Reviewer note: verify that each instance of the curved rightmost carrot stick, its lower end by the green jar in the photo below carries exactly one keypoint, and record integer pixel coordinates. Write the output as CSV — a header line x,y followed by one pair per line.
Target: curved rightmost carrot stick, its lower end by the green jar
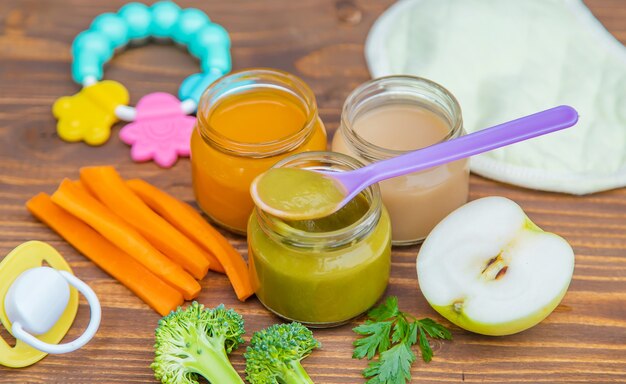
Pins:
x,y
189,222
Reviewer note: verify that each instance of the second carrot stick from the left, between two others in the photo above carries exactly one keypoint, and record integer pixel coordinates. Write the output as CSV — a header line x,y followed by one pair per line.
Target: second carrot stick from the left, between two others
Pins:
x,y
92,212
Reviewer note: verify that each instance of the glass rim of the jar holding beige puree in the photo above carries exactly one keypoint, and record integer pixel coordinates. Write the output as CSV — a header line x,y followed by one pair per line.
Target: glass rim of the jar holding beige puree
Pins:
x,y
413,85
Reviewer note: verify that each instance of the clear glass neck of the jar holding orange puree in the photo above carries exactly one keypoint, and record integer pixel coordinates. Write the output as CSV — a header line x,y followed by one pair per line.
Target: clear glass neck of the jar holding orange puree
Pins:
x,y
251,80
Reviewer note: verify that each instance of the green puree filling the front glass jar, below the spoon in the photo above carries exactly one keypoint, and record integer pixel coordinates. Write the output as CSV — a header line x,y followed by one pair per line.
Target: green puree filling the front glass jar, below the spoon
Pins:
x,y
317,284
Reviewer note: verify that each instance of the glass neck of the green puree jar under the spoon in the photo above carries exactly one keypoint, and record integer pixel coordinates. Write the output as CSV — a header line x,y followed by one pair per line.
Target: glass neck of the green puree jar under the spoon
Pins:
x,y
282,232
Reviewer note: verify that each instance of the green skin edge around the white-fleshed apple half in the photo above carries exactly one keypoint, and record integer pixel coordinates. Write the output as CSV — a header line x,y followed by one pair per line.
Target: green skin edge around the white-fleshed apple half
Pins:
x,y
456,315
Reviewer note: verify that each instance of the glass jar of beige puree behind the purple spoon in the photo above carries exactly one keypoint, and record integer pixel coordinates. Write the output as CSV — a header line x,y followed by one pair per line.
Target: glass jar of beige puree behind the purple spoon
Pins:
x,y
389,116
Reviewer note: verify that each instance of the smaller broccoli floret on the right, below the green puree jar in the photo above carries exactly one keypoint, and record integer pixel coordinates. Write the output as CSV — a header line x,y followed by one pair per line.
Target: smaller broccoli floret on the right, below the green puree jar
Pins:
x,y
275,353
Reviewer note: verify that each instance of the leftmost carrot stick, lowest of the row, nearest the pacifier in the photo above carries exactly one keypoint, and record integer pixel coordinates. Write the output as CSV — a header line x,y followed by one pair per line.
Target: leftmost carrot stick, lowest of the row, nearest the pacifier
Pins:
x,y
143,283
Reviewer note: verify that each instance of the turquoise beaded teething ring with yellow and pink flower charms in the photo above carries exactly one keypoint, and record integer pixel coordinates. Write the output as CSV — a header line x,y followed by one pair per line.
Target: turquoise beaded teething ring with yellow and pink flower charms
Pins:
x,y
160,130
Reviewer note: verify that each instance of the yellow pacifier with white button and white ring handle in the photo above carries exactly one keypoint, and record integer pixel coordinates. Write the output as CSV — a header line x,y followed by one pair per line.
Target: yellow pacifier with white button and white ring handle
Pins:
x,y
39,300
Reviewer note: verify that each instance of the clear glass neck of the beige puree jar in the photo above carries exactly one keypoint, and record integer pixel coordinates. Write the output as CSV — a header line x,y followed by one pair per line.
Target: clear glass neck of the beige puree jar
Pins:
x,y
390,90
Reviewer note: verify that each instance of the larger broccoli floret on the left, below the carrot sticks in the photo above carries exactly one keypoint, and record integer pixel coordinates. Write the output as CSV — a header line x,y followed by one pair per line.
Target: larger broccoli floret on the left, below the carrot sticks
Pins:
x,y
197,341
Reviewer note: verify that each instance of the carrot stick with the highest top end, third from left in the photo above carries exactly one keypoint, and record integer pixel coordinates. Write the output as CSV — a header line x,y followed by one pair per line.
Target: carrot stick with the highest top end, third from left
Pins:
x,y
108,187
